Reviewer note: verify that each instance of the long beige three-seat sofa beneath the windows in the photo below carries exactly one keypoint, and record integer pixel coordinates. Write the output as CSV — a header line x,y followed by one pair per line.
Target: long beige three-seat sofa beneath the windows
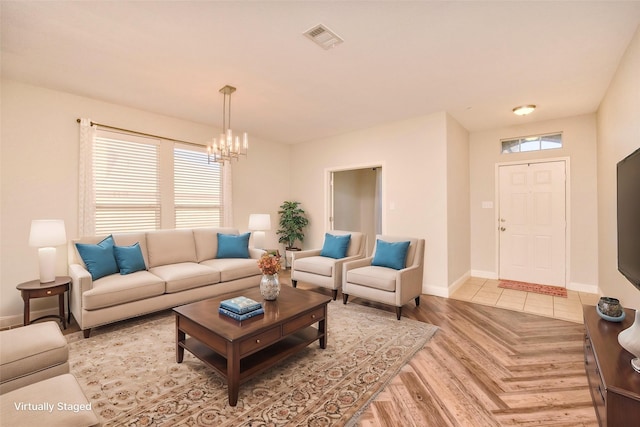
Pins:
x,y
181,267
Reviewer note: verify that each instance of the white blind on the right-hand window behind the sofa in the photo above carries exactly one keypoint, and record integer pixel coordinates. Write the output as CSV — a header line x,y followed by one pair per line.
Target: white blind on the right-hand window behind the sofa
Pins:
x,y
197,189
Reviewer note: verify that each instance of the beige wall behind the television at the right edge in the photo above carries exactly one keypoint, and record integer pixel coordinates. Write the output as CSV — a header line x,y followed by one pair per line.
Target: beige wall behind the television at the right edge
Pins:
x,y
618,136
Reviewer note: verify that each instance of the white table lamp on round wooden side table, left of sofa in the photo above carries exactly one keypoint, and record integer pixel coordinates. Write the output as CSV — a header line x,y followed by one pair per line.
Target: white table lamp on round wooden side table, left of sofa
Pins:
x,y
44,235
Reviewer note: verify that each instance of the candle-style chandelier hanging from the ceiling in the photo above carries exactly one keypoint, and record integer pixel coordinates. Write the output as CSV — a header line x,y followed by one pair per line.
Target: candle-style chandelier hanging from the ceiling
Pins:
x,y
226,147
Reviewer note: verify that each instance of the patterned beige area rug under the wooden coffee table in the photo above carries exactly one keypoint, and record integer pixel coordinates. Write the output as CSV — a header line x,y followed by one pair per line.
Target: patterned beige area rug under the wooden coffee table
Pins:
x,y
129,373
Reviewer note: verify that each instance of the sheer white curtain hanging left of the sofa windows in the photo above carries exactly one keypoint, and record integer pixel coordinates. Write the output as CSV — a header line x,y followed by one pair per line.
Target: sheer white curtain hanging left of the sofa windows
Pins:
x,y
86,205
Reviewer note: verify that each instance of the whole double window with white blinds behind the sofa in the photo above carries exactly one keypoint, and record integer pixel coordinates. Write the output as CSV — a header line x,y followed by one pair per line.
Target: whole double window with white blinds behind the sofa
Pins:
x,y
139,180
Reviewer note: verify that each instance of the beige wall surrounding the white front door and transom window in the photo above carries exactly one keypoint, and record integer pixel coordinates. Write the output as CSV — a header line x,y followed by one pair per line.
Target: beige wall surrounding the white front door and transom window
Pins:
x,y
579,140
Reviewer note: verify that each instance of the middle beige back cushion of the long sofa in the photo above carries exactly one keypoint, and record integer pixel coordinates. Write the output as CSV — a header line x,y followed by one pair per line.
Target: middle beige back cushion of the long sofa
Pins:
x,y
170,247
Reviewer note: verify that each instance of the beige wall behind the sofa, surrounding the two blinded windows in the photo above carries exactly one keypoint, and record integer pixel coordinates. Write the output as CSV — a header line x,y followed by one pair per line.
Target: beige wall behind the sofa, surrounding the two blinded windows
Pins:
x,y
39,173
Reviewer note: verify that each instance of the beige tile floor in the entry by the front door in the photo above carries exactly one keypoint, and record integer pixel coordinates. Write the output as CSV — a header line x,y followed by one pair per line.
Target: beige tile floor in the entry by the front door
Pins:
x,y
487,292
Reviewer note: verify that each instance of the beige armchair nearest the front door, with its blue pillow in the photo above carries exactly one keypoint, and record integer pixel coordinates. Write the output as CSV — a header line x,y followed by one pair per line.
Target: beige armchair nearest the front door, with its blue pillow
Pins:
x,y
391,281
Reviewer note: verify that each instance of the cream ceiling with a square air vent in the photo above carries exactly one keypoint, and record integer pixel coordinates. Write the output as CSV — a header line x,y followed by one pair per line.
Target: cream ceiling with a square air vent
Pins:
x,y
476,60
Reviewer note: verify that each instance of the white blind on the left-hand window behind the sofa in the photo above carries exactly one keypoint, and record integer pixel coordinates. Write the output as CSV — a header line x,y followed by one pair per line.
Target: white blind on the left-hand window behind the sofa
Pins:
x,y
126,183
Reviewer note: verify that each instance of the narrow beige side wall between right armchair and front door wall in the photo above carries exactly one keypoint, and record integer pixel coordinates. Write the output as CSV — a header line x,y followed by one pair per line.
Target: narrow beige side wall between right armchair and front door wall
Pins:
x,y
458,225
